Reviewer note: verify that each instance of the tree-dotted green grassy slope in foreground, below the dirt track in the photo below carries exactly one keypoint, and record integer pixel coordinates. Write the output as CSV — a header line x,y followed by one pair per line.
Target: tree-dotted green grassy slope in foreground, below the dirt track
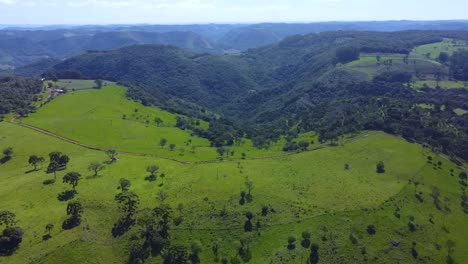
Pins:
x,y
307,191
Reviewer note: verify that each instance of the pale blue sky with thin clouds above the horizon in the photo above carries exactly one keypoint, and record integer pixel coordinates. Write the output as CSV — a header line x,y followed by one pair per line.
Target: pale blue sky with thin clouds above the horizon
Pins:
x,y
218,11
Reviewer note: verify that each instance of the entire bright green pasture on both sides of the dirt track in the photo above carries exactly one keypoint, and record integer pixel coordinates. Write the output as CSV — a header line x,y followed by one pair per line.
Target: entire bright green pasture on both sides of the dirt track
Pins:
x,y
308,191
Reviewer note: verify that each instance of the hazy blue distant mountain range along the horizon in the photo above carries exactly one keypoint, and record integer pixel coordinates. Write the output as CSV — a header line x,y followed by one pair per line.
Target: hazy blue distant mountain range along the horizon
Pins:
x,y
23,45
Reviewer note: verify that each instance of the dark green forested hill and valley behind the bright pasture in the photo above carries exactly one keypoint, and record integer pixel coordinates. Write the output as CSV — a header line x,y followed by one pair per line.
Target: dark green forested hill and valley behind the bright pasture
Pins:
x,y
298,84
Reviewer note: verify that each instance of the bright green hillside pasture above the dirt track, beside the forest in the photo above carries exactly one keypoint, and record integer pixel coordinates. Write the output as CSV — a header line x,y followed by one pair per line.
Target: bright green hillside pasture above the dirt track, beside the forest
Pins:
x,y
99,122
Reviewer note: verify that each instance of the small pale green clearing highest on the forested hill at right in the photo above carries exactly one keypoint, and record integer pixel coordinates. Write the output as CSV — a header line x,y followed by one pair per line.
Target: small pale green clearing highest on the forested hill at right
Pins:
x,y
449,46
